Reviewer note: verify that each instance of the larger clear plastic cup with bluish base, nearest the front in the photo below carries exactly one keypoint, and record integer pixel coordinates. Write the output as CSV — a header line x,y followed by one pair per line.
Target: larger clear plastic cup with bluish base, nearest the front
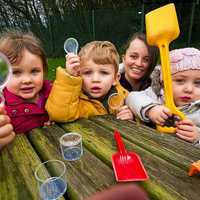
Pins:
x,y
51,187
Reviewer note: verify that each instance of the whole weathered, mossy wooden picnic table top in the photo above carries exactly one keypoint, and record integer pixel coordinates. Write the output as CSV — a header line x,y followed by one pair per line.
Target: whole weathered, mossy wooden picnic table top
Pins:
x,y
165,157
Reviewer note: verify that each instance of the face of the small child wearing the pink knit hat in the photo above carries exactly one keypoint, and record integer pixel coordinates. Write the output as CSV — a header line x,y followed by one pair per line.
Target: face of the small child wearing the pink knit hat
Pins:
x,y
186,87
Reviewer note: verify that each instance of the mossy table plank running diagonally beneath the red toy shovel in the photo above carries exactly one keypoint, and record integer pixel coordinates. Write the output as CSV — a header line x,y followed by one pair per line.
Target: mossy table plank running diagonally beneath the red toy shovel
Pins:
x,y
167,178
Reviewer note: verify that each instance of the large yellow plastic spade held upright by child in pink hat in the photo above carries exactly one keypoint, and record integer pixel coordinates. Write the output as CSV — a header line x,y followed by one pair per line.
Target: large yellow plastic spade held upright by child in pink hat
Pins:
x,y
162,28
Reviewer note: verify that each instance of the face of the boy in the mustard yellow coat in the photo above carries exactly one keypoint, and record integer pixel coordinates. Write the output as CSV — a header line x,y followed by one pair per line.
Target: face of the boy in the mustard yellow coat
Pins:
x,y
97,78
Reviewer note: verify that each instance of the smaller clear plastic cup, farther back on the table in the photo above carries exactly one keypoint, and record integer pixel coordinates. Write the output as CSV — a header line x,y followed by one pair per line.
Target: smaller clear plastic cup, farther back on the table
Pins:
x,y
71,146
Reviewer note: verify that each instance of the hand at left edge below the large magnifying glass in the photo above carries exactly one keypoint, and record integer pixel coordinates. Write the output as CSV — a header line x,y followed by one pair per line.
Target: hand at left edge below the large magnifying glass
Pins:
x,y
6,129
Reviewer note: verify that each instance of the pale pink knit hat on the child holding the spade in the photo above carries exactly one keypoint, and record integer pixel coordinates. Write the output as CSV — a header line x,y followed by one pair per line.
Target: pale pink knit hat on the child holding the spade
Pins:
x,y
184,59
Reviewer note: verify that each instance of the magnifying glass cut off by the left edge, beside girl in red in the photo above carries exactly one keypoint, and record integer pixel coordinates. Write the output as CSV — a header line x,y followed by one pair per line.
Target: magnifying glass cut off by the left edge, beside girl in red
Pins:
x,y
5,73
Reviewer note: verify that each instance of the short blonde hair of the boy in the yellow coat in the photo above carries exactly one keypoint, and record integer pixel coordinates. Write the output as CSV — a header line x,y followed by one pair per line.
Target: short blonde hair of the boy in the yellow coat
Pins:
x,y
100,52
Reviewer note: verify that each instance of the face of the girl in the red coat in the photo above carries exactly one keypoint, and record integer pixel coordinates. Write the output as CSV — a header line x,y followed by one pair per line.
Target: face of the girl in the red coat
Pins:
x,y
27,77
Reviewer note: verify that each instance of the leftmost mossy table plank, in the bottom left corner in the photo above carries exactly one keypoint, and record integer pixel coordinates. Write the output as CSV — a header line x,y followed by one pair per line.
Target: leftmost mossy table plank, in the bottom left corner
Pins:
x,y
17,165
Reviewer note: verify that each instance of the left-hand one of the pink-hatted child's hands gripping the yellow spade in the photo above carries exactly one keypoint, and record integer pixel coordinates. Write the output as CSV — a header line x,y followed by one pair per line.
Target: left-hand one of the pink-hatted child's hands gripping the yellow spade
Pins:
x,y
158,114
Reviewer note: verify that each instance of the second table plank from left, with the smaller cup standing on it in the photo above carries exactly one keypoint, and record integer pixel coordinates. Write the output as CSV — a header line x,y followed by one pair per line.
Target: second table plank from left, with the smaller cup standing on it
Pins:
x,y
85,176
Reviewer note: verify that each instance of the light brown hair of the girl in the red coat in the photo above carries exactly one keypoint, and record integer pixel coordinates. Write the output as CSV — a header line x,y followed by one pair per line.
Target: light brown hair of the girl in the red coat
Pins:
x,y
13,43
